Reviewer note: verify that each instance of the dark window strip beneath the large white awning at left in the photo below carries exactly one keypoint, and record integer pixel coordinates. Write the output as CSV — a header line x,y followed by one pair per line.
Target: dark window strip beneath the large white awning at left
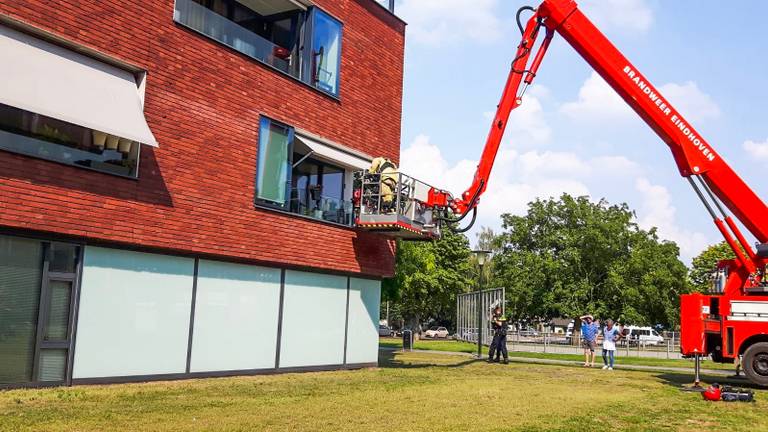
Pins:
x,y
48,138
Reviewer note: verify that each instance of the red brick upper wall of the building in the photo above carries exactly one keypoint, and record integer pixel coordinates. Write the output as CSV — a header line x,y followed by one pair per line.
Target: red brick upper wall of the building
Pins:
x,y
195,192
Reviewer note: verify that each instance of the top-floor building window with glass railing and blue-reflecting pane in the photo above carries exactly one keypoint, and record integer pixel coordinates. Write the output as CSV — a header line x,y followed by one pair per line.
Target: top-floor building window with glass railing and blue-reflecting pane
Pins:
x,y
304,43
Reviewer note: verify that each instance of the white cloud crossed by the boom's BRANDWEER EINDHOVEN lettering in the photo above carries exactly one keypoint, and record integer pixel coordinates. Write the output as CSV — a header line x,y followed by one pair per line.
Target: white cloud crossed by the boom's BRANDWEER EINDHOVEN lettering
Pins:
x,y
598,102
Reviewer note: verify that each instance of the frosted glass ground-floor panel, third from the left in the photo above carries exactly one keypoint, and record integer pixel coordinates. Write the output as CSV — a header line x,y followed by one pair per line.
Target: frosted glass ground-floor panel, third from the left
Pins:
x,y
314,311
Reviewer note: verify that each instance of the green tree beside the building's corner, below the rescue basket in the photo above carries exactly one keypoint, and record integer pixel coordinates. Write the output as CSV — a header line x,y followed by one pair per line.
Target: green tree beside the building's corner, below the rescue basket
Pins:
x,y
428,276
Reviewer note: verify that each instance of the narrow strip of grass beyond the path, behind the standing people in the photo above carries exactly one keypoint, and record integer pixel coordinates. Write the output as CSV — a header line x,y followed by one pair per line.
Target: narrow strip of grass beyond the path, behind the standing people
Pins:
x,y
464,347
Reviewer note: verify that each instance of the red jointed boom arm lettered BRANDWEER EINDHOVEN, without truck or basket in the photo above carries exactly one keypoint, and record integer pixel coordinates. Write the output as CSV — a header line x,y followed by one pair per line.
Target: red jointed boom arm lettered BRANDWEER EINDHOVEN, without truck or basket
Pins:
x,y
694,156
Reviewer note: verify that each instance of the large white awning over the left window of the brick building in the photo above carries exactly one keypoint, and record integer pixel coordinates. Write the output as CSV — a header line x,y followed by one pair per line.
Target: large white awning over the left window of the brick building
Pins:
x,y
46,79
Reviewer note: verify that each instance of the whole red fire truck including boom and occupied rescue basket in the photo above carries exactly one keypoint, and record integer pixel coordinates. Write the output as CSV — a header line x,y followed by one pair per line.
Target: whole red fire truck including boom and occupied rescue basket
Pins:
x,y
728,323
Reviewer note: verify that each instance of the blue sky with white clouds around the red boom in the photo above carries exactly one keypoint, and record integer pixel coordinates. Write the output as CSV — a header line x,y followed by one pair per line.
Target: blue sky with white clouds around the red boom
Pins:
x,y
573,134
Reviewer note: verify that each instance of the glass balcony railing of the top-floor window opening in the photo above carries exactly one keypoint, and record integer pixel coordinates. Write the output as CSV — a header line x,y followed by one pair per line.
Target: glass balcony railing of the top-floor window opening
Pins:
x,y
219,28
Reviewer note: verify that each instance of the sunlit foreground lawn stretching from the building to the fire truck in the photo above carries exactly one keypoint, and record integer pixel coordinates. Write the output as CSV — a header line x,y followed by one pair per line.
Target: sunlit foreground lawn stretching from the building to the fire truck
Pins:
x,y
409,392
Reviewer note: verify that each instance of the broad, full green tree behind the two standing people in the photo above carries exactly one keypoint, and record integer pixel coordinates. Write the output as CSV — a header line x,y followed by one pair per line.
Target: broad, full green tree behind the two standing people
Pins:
x,y
570,256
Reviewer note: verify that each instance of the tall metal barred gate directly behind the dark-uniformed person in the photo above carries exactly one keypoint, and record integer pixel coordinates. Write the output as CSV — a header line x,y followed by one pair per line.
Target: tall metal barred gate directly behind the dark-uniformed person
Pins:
x,y
477,307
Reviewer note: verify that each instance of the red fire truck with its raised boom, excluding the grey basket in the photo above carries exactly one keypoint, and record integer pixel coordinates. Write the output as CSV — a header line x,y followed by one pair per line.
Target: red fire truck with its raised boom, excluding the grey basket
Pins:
x,y
733,320
